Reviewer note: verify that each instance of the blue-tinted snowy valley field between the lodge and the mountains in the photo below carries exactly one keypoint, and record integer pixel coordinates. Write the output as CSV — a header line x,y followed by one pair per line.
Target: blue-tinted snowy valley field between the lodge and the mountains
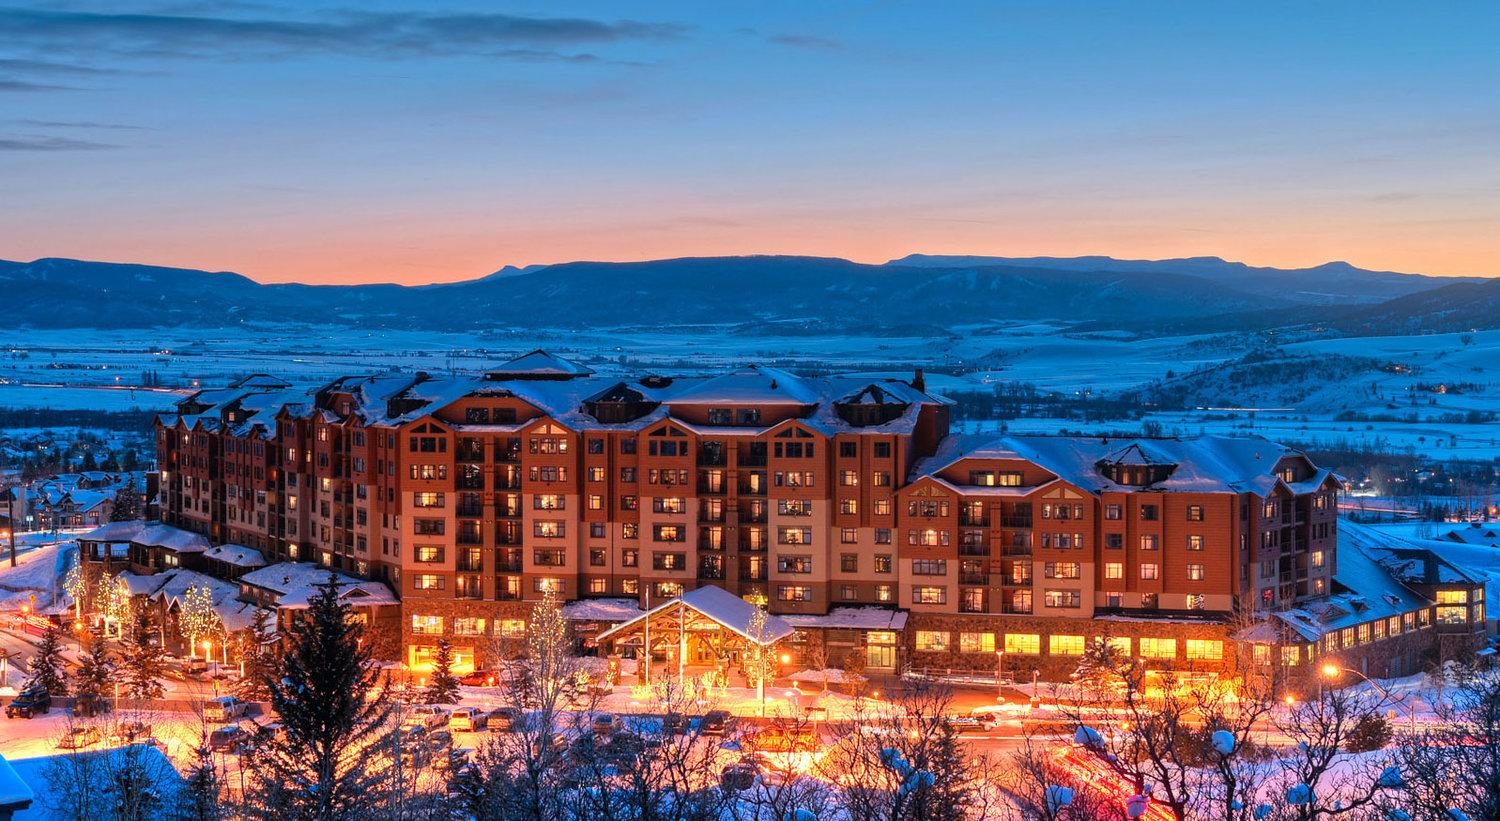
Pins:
x,y
1451,374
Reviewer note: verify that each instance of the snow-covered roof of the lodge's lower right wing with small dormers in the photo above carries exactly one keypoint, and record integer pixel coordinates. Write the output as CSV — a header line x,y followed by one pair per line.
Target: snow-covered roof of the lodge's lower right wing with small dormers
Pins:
x,y
1204,465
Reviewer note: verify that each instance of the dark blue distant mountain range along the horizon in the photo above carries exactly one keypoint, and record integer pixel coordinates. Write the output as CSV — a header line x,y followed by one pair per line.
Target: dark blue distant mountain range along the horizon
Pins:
x,y
914,295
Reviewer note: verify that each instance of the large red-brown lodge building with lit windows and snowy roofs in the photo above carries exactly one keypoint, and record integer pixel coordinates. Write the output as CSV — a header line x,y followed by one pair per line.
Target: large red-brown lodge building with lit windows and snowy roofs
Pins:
x,y
845,505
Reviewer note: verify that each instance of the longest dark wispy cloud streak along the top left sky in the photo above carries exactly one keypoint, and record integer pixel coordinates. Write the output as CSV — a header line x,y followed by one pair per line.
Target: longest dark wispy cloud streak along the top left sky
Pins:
x,y
272,37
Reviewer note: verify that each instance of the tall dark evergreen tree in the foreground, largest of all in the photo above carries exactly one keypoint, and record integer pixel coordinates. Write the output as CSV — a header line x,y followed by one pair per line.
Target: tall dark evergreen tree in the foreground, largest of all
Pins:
x,y
332,705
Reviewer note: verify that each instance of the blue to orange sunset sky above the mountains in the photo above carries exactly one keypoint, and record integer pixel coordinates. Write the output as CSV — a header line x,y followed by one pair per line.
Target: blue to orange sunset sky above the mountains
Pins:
x,y
434,142
